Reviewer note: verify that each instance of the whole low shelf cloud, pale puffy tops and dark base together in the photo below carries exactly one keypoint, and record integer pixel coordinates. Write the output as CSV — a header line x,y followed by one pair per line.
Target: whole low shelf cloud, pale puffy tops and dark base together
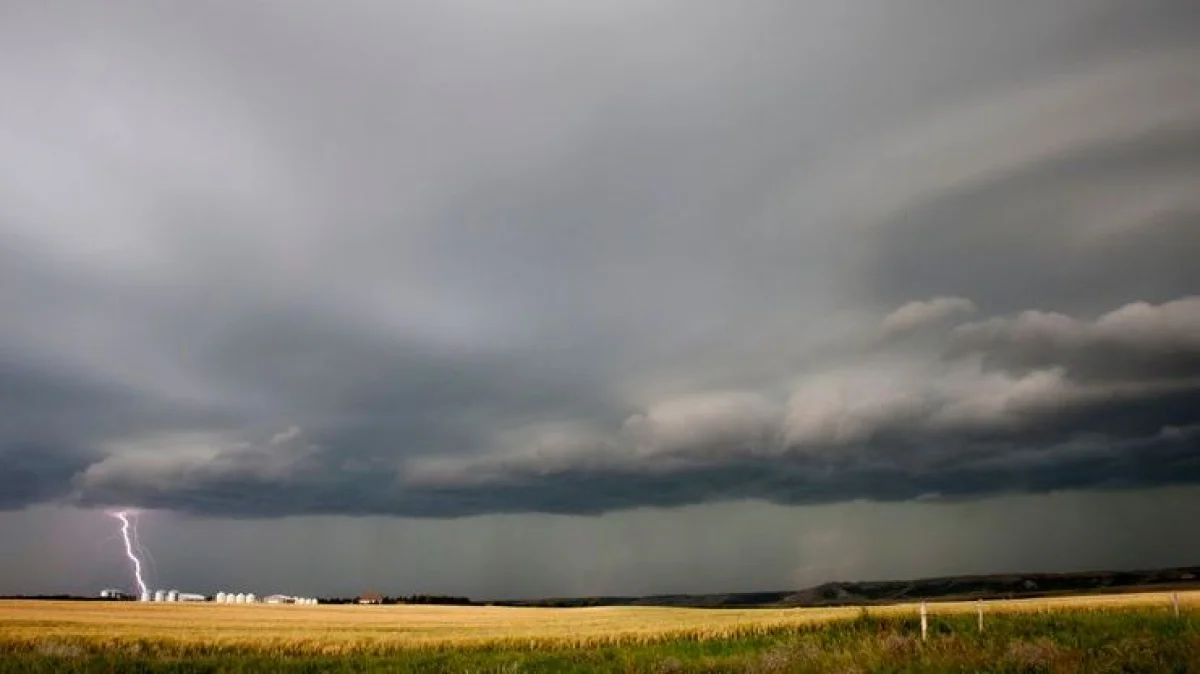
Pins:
x,y
1034,435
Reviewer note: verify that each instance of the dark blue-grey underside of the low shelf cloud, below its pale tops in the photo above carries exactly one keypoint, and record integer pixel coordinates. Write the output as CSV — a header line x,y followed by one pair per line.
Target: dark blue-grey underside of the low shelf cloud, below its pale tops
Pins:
x,y
895,467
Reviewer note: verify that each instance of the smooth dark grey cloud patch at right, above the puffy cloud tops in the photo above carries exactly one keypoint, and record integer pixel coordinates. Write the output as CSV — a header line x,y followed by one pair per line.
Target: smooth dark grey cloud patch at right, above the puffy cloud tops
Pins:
x,y
1096,227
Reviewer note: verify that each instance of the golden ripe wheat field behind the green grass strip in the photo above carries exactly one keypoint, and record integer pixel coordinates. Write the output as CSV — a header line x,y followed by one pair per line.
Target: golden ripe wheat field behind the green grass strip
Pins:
x,y
356,629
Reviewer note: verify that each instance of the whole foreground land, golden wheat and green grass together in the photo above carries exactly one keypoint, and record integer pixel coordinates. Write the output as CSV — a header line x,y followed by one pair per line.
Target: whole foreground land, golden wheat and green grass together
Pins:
x,y
1123,634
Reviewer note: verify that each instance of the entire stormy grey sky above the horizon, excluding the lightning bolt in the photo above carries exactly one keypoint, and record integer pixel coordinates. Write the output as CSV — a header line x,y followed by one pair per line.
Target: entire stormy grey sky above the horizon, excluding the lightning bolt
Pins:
x,y
536,299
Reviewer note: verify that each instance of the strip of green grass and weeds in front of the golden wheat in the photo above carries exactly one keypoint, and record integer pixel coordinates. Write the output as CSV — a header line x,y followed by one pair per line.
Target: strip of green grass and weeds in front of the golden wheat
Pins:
x,y
1127,641
